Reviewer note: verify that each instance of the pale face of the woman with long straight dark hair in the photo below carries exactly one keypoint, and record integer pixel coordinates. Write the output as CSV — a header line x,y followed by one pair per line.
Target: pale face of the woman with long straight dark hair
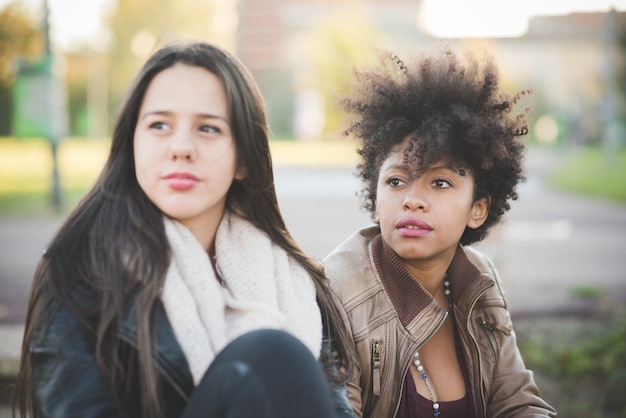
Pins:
x,y
185,155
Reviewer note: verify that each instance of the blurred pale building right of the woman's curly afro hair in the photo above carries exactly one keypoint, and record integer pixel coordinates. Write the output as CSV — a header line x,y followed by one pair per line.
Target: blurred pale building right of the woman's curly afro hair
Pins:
x,y
575,66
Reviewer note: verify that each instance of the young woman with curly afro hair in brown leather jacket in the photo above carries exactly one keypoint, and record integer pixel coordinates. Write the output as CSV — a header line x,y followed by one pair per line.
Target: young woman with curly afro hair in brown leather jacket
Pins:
x,y
442,155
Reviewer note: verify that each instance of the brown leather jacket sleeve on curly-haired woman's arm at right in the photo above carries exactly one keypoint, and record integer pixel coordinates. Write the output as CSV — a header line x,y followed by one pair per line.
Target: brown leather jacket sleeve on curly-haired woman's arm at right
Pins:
x,y
513,390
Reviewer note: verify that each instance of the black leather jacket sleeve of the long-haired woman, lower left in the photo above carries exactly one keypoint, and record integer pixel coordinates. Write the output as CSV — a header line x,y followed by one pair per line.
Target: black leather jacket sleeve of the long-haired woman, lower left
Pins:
x,y
67,380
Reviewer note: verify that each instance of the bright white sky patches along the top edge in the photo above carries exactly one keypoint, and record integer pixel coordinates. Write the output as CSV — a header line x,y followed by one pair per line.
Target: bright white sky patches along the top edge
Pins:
x,y
80,21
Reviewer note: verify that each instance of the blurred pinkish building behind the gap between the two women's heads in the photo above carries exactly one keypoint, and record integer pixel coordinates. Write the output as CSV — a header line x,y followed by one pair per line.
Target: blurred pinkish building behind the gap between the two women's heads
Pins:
x,y
272,41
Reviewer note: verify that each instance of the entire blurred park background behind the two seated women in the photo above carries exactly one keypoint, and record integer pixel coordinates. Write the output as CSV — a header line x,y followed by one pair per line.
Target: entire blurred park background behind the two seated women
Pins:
x,y
65,65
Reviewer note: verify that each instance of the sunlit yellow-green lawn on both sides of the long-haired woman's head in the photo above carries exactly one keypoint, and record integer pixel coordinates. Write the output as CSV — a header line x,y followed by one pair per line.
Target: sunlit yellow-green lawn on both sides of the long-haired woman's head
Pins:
x,y
26,168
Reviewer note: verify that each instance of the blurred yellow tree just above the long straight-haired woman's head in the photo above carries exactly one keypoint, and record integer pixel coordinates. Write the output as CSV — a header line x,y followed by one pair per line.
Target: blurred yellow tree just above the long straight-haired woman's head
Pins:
x,y
138,27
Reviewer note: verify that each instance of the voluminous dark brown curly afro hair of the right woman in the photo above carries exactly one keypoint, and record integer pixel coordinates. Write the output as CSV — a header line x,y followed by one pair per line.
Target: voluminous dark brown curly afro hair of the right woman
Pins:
x,y
452,110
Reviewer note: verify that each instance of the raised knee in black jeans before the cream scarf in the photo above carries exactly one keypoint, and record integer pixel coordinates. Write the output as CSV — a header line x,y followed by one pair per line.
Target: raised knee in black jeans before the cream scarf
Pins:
x,y
262,374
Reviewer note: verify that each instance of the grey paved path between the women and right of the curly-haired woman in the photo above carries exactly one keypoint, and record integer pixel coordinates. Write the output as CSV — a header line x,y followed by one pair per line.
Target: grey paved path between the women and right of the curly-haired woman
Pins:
x,y
551,247
